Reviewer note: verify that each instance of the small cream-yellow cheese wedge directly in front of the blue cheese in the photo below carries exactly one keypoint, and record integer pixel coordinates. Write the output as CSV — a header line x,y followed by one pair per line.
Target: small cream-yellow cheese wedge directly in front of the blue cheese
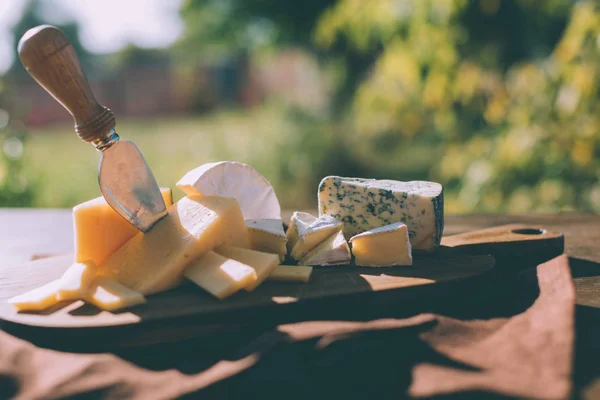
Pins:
x,y
381,247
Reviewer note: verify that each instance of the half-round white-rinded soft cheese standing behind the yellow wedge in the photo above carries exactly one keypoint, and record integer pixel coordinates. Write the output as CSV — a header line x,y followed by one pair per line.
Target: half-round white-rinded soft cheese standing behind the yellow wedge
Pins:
x,y
253,191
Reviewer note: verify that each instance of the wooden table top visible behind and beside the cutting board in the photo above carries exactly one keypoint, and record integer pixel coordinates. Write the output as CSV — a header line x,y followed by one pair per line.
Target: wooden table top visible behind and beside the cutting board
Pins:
x,y
27,232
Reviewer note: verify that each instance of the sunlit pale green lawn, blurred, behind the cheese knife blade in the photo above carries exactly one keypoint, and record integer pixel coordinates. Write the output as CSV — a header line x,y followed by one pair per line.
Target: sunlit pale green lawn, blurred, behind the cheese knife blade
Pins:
x,y
65,168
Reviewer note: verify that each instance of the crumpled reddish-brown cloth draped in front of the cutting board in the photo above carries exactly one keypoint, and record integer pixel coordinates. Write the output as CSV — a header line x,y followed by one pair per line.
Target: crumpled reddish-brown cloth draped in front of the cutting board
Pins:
x,y
528,355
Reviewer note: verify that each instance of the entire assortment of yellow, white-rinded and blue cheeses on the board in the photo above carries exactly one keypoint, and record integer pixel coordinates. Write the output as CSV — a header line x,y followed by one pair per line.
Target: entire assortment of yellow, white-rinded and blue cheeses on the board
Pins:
x,y
227,235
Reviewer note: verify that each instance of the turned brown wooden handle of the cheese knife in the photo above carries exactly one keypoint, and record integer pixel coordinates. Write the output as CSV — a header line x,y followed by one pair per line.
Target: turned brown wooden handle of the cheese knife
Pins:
x,y
50,59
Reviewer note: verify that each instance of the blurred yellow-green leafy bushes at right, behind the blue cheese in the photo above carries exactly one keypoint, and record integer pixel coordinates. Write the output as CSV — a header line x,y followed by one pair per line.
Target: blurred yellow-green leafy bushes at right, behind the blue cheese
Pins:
x,y
502,94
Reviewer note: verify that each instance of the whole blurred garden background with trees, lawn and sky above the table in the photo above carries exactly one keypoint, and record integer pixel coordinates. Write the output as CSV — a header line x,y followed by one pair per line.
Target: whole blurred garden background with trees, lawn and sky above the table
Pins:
x,y
496,99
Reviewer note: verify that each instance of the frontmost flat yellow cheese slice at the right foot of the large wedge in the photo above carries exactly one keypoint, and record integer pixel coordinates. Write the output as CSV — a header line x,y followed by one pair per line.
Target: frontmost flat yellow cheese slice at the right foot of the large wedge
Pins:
x,y
220,276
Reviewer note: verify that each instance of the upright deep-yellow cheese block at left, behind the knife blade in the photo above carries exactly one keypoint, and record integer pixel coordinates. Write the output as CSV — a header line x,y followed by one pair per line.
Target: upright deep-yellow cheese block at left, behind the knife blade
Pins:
x,y
100,231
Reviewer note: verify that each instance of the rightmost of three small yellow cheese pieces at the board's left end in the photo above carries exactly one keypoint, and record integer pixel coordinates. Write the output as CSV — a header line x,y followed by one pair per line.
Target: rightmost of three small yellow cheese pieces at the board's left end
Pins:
x,y
110,295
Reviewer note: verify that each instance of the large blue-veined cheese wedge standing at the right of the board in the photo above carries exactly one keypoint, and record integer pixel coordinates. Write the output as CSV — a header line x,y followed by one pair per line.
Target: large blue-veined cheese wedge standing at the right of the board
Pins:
x,y
365,204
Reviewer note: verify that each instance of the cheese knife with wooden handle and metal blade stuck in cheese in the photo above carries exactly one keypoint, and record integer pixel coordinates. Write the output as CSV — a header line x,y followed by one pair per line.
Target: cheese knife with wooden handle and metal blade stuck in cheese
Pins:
x,y
125,180
